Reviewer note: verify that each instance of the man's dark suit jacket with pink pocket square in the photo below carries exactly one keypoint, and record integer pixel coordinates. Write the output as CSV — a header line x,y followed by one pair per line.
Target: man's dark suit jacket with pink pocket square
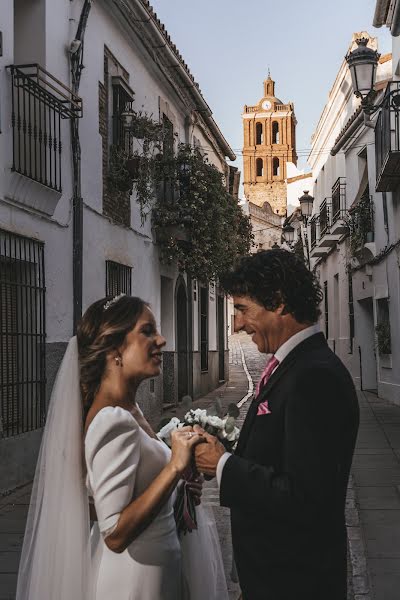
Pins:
x,y
286,484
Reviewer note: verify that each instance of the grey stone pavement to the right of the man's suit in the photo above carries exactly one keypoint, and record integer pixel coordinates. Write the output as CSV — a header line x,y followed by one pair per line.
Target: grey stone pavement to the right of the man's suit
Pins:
x,y
376,476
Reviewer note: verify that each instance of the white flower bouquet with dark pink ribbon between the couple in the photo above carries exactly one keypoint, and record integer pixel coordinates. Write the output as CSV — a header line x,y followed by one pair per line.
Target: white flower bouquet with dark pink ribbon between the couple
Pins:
x,y
224,428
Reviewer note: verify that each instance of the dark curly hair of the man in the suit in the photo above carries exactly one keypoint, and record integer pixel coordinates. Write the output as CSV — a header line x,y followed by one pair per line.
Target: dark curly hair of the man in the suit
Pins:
x,y
275,277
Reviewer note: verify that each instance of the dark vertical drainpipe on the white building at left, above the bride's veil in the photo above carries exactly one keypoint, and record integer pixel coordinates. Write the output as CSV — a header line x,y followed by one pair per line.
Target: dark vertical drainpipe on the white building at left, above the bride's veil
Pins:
x,y
76,62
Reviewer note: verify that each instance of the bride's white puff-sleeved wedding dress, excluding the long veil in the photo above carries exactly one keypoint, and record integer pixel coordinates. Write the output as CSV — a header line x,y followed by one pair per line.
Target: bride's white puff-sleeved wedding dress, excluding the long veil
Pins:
x,y
122,460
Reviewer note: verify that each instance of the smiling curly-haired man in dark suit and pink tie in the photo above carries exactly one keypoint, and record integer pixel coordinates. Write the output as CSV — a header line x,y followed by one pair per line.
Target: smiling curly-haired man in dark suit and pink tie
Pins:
x,y
286,483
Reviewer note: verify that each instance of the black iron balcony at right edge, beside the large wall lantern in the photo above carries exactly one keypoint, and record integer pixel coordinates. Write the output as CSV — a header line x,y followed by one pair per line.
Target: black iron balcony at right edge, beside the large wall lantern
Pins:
x,y
387,141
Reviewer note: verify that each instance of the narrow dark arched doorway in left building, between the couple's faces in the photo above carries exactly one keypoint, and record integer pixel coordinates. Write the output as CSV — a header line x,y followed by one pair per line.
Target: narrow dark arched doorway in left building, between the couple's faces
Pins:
x,y
182,338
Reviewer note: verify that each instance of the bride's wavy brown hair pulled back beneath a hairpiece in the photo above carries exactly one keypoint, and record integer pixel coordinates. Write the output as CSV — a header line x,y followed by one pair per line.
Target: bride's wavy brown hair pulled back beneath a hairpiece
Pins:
x,y
101,330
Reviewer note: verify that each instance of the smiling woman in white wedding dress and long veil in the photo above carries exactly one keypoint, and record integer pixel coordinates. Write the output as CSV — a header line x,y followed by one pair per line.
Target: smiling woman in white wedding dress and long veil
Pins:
x,y
98,447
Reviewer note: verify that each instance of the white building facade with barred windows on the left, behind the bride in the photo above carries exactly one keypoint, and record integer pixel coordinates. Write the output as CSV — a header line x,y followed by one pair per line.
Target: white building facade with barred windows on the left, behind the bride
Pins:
x,y
65,239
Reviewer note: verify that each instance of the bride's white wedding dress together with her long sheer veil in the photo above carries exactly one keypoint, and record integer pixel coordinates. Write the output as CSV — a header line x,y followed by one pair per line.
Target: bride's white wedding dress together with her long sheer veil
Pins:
x,y
61,558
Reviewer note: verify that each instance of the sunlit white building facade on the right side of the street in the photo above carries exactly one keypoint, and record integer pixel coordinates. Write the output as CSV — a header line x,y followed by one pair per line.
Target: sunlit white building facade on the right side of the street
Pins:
x,y
353,235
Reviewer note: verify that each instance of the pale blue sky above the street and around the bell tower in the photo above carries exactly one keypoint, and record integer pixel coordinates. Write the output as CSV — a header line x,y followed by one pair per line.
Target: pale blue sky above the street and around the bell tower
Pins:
x,y
230,44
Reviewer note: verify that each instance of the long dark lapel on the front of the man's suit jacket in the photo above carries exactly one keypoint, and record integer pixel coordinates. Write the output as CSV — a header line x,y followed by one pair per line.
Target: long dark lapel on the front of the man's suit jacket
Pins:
x,y
286,364
